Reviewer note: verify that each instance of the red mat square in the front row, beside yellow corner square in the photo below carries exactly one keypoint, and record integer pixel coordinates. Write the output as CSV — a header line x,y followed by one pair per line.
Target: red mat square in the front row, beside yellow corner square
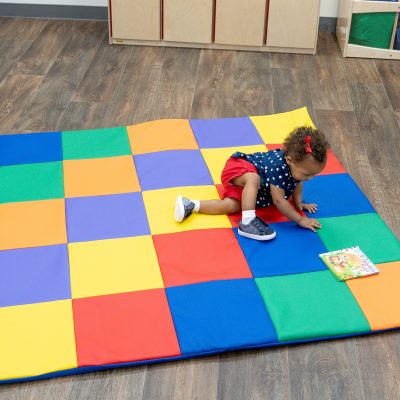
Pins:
x,y
124,327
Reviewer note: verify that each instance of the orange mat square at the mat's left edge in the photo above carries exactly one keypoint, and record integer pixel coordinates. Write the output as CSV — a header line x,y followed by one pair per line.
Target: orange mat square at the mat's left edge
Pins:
x,y
32,223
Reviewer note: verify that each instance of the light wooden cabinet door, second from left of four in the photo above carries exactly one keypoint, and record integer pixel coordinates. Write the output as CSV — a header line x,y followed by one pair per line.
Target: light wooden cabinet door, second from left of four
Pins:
x,y
188,20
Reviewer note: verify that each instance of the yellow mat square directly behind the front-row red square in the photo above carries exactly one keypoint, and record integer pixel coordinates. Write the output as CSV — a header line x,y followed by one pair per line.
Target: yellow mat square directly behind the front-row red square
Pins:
x,y
113,266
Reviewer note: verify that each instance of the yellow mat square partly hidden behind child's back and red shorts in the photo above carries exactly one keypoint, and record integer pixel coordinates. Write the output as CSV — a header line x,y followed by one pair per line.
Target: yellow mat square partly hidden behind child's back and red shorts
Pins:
x,y
216,158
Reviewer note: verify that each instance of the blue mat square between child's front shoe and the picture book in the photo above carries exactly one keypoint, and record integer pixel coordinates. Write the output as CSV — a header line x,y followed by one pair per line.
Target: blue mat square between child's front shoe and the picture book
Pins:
x,y
294,250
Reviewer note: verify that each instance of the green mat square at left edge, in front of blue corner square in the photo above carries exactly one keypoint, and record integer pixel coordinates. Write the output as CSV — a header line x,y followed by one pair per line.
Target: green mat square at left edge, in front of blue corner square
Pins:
x,y
27,182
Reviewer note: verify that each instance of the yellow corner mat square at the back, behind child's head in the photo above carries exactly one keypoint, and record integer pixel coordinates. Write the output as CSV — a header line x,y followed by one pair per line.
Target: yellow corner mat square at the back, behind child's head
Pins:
x,y
274,128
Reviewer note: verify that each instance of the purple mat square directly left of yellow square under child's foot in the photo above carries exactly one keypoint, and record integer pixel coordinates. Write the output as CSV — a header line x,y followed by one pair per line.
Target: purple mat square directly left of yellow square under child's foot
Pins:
x,y
106,217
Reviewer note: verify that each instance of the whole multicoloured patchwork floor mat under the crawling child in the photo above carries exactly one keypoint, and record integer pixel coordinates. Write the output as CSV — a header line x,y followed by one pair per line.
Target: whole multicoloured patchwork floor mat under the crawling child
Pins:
x,y
95,273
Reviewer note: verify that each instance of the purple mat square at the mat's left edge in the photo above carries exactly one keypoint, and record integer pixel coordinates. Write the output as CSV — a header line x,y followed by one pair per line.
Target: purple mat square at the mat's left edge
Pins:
x,y
34,275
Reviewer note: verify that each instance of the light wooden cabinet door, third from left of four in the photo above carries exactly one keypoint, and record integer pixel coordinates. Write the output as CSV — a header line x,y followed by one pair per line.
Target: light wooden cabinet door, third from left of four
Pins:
x,y
240,22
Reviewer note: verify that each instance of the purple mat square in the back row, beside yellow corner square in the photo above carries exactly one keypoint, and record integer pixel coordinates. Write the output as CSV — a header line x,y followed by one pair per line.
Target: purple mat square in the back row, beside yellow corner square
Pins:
x,y
227,132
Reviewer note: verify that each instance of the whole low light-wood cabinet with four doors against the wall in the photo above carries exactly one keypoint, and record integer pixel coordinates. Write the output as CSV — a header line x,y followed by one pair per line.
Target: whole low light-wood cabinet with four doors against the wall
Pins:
x,y
254,25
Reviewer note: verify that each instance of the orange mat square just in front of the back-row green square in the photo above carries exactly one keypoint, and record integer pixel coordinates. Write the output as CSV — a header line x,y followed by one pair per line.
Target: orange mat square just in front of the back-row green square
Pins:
x,y
100,176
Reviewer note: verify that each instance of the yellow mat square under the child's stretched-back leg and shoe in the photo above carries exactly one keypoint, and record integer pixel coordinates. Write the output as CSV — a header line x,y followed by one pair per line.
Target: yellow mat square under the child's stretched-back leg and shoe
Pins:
x,y
160,206
